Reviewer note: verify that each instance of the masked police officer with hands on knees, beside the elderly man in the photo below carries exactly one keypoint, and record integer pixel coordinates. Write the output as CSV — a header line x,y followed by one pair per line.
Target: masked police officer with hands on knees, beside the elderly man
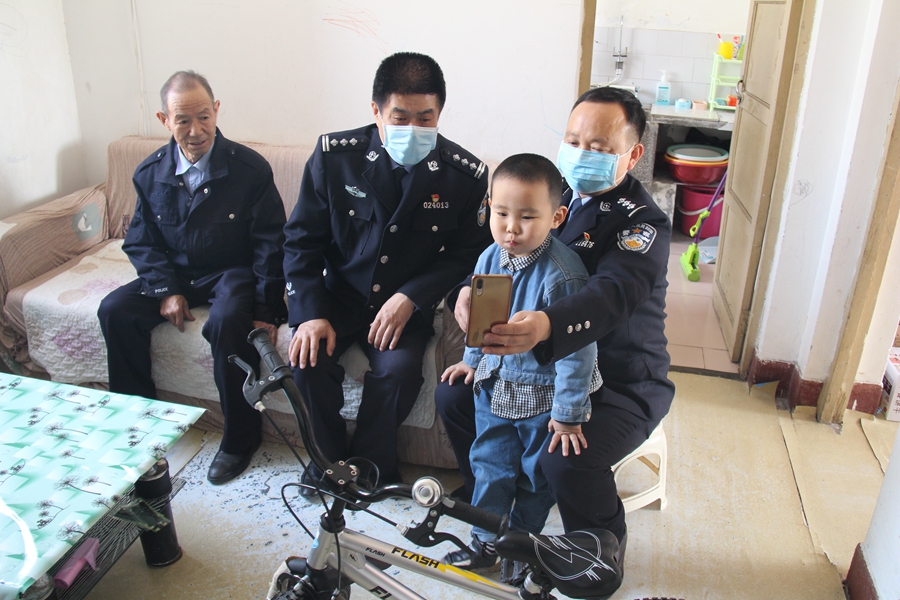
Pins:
x,y
390,217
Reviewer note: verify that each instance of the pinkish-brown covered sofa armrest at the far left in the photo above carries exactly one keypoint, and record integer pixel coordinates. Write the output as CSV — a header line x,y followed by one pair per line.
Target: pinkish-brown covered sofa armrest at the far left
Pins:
x,y
38,240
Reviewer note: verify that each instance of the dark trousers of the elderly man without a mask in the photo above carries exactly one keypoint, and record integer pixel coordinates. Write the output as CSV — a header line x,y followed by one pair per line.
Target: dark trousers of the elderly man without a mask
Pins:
x,y
127,317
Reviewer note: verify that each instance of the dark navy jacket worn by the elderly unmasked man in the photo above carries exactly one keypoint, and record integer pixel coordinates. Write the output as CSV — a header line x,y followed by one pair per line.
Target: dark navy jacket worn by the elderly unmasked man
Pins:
x,y
234,219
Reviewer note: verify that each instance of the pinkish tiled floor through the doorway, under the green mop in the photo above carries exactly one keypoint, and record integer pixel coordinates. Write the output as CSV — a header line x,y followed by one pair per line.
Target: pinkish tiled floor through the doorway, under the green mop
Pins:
x,y
695,339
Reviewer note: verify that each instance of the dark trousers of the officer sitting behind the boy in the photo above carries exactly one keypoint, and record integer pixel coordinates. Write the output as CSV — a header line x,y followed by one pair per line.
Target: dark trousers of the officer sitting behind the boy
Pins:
x,y
582,485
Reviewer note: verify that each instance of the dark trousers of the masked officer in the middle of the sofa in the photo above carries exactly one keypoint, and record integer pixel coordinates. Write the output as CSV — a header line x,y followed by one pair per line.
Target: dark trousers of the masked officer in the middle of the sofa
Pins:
x,y
390,389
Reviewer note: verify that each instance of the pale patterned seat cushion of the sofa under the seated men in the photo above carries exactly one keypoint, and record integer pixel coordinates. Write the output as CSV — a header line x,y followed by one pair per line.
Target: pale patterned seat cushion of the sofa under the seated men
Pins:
x,y
59,313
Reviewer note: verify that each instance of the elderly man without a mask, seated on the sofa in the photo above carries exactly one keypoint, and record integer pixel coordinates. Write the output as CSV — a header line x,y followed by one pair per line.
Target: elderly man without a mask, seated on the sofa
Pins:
x,y
207,229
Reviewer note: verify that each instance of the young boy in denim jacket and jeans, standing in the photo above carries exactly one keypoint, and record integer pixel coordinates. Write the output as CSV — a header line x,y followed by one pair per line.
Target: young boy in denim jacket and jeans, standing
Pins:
x,y
517,401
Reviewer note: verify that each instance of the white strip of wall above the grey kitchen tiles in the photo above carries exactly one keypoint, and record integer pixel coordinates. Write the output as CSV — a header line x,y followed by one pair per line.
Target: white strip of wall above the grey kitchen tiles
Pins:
x,y
679,15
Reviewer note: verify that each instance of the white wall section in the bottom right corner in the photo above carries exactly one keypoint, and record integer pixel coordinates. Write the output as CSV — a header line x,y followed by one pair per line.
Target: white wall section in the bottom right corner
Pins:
x,y
882,545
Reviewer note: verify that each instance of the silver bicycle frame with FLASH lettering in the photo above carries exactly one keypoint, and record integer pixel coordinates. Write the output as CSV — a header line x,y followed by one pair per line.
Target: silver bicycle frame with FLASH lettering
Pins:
x,y
356,547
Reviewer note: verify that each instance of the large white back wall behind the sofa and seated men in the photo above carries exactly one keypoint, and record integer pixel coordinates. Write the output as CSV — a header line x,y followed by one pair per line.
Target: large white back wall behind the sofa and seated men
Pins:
x,y
286,72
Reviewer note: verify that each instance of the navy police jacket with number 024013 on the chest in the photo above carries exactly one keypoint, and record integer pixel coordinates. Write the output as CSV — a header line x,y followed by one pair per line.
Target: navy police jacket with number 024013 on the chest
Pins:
x,y
350,245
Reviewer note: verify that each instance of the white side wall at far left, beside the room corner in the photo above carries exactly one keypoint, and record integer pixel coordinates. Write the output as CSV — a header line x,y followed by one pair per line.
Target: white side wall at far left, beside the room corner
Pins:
x,y
40,147
